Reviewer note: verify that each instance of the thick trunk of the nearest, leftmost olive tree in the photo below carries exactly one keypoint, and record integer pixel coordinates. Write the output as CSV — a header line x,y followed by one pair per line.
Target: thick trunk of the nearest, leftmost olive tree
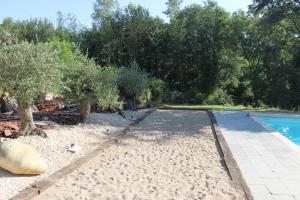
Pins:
x,y
27,125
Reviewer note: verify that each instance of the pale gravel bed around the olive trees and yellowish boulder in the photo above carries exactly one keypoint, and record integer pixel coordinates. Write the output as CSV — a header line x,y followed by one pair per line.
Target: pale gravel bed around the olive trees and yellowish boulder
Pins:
x,y
53,149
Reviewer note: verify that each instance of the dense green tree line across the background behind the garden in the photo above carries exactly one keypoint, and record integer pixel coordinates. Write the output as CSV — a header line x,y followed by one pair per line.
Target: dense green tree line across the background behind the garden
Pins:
x,y
203,54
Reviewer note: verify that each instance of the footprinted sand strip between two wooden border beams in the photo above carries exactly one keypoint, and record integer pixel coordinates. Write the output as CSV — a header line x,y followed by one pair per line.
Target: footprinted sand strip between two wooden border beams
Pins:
x,y
170,155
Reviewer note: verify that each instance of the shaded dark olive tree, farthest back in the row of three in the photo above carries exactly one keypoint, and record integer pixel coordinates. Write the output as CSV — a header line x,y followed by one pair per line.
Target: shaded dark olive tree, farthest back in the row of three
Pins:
x,y
132,82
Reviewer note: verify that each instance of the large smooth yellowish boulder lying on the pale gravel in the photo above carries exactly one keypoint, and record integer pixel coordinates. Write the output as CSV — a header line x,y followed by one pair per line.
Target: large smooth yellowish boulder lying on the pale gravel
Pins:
x,y
20,158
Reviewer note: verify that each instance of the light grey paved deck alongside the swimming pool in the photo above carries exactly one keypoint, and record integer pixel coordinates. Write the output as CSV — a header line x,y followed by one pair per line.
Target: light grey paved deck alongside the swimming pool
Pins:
x,y
270,167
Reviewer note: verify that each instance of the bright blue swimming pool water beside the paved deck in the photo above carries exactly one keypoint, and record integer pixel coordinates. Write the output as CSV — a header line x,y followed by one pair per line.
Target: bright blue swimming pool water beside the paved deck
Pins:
x,y
289,127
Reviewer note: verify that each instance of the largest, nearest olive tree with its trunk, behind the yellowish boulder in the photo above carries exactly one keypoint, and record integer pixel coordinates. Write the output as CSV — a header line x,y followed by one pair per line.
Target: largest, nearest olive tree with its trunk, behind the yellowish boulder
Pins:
x,y
26,70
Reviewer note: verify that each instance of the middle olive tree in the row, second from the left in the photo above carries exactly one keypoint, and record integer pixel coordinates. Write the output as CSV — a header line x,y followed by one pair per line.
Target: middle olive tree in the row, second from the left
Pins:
x,y
88,83
